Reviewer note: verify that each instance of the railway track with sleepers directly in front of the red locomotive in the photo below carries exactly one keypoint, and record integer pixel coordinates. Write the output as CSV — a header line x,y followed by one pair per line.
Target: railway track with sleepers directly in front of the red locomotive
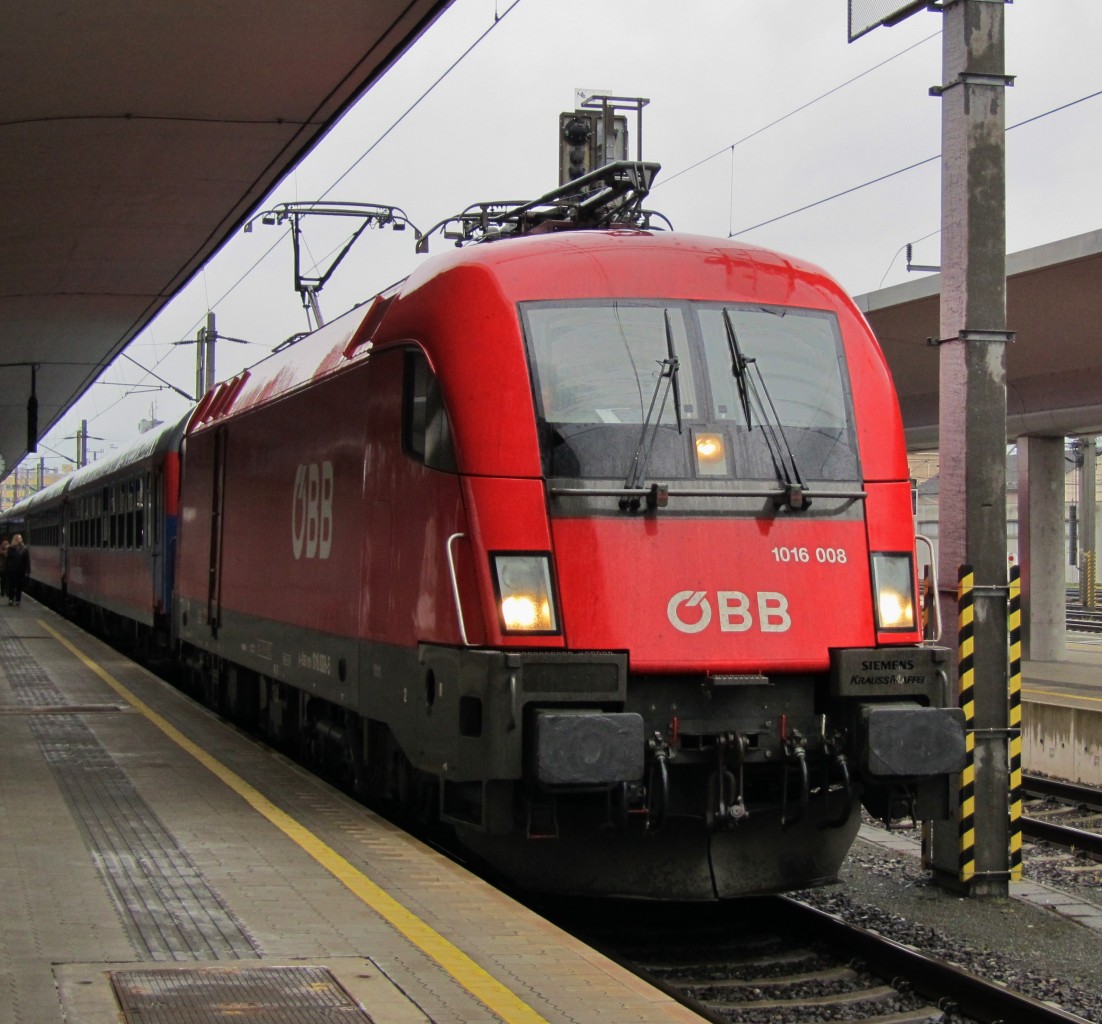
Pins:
x,y
774,961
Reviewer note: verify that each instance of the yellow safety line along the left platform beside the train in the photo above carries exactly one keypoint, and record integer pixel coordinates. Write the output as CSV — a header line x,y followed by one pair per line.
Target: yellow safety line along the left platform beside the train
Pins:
x,y
477,980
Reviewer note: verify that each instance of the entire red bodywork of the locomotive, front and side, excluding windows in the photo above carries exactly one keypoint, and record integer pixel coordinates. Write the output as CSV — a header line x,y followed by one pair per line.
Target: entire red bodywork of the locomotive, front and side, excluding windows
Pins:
x,y
316,406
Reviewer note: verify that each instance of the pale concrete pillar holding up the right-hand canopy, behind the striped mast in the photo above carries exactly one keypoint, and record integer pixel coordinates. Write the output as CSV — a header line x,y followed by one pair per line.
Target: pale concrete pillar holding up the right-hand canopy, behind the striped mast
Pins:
x,y
1042,548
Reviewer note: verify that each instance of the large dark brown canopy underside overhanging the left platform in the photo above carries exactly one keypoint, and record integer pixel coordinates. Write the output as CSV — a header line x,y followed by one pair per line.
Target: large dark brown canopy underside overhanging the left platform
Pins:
x,y
135,138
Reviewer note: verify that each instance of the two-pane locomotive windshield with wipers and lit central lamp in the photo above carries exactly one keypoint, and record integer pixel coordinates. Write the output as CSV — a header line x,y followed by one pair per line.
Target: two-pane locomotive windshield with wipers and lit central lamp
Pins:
x,y
597,368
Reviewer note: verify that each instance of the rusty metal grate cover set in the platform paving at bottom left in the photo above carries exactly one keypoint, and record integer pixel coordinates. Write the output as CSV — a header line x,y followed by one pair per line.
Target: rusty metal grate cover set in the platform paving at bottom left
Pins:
x,y
212,996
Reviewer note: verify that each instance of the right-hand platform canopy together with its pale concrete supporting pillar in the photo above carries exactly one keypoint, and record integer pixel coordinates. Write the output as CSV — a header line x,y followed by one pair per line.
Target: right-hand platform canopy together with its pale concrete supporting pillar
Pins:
x,y
1054,373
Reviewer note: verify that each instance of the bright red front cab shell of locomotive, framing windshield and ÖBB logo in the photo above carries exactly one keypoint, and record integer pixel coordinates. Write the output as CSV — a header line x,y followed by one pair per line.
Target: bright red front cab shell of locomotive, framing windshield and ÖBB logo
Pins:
x,y
617,576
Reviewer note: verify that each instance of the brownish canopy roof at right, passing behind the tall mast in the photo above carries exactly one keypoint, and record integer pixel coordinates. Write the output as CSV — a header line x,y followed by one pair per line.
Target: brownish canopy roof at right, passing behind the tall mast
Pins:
x,y
1054,367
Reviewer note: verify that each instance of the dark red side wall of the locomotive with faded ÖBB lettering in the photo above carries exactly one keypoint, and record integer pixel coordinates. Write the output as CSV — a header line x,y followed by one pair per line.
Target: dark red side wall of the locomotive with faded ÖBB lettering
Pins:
x,y
325,524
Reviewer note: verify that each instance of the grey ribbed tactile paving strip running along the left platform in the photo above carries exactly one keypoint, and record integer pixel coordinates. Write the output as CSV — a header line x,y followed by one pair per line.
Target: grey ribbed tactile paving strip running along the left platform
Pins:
x,y
169,910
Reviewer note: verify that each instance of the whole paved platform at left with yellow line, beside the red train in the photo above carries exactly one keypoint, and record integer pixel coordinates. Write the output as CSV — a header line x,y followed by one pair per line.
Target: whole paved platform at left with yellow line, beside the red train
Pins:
x,y
158,866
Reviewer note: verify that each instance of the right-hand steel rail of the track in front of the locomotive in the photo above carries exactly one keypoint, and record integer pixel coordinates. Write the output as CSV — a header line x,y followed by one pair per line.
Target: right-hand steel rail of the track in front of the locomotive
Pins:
x,y
948,986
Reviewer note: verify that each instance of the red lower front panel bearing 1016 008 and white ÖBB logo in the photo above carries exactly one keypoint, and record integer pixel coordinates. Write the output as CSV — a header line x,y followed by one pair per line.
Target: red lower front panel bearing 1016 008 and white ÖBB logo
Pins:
x,y
714,596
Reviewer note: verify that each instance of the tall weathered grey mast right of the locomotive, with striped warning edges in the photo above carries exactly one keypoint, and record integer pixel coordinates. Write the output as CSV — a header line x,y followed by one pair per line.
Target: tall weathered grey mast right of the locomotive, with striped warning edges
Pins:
x,y
973,529
